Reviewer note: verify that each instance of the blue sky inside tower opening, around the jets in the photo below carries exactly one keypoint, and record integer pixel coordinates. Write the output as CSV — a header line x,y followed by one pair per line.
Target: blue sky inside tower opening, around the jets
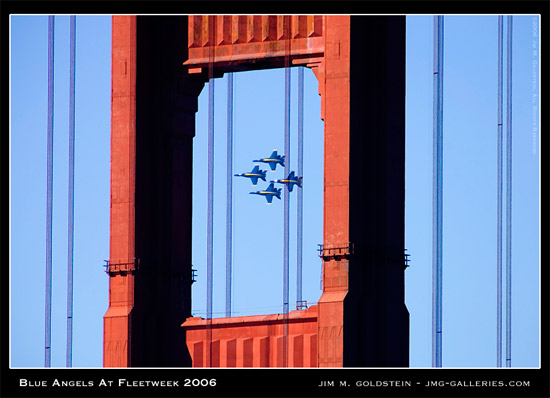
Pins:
x,y
258,129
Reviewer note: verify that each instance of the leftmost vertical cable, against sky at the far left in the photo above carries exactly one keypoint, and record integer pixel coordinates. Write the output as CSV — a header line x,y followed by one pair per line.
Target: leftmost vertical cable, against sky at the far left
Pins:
x,y
49,195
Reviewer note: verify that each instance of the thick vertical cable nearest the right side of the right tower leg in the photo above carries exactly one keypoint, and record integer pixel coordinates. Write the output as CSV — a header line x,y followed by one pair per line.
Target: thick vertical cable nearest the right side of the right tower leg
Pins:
x,y
437,250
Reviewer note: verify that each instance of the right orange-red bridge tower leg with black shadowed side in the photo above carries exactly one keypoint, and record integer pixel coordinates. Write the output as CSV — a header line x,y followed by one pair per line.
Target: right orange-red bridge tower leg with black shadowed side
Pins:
x,y
363,320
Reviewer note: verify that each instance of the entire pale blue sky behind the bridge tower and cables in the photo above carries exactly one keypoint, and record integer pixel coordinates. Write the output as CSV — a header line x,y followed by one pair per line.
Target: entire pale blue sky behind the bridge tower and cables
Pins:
x,y
469,224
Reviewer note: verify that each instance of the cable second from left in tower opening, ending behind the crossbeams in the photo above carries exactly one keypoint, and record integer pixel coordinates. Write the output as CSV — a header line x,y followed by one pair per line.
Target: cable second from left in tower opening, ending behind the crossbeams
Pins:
x,y
229,209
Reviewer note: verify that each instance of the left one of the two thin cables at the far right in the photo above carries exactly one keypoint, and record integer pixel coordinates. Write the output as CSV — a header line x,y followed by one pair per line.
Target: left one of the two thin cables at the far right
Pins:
x,y
499,197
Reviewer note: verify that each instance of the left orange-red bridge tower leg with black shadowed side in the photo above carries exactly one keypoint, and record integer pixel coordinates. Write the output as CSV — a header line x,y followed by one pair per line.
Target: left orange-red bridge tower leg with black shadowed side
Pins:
x,y
152,127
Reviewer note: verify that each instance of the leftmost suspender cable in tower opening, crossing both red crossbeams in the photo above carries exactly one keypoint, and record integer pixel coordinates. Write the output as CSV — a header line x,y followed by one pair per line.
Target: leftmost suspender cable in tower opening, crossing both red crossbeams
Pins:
x,y
210,200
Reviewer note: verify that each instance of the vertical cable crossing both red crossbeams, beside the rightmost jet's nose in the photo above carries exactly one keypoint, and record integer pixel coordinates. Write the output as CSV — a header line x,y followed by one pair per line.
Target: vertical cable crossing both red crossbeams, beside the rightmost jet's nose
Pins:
x,y
286,26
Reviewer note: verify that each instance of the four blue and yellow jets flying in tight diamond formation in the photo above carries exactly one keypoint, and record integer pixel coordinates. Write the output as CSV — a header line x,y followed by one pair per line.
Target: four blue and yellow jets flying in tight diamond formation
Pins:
x,y
271,191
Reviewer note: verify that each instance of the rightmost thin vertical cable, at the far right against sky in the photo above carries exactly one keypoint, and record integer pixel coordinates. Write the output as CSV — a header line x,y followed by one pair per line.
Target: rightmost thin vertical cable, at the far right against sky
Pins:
x,y
509,197
